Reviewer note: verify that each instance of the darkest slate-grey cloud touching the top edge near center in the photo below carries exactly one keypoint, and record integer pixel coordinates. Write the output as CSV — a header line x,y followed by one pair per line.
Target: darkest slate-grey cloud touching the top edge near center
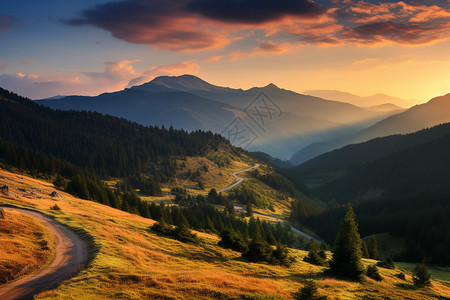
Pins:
x,y
254,11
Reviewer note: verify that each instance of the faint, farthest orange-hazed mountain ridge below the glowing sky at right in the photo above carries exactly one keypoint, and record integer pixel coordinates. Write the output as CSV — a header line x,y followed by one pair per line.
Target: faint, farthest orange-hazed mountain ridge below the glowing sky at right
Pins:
x,y
370,101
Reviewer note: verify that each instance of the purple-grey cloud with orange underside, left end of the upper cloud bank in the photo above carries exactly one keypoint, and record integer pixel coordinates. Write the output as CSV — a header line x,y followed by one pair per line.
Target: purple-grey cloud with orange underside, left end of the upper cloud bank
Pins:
x,y
160,23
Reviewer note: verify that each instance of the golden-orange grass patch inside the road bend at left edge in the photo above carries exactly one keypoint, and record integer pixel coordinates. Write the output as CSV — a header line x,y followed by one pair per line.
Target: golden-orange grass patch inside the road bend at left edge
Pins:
x,y
22,251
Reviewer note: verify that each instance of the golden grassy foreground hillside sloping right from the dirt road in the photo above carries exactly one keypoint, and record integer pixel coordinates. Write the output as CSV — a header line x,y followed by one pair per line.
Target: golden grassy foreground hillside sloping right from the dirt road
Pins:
x,y
129,261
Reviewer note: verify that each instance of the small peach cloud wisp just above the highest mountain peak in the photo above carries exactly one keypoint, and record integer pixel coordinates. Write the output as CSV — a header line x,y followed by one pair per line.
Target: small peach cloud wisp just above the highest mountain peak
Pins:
x,y
186,67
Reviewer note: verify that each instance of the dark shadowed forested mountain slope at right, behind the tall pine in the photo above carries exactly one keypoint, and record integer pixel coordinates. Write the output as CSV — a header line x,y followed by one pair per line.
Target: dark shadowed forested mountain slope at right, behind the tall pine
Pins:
x,y
397,184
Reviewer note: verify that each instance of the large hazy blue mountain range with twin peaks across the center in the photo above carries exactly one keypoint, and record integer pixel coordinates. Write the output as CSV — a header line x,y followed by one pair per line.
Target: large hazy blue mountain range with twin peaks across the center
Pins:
x,y
277,121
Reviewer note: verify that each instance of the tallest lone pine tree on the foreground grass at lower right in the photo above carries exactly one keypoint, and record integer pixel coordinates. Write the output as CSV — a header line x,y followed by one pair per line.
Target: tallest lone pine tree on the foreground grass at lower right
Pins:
x,y
347,253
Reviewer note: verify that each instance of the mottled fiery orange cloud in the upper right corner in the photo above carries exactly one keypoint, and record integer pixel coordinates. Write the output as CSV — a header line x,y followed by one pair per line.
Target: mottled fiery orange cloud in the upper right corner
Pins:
x,y
410,23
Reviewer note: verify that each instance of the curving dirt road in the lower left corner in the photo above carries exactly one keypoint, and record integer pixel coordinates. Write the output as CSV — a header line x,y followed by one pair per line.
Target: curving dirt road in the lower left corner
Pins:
x,y
71,255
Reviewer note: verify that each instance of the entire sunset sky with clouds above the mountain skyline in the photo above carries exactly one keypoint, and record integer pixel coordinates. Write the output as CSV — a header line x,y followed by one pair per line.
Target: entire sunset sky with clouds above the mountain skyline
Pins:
x,y
87,47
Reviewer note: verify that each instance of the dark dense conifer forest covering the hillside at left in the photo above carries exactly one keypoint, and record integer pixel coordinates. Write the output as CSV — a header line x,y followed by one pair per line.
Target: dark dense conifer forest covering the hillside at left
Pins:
x,y
110,146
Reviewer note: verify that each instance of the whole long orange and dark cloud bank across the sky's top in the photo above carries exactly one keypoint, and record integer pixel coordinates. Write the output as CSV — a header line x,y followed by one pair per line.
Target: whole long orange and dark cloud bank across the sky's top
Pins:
x,y
195,25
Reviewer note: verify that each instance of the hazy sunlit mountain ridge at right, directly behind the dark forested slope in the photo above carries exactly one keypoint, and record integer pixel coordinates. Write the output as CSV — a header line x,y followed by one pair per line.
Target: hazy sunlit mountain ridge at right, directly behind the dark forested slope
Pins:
x,y
421,116
